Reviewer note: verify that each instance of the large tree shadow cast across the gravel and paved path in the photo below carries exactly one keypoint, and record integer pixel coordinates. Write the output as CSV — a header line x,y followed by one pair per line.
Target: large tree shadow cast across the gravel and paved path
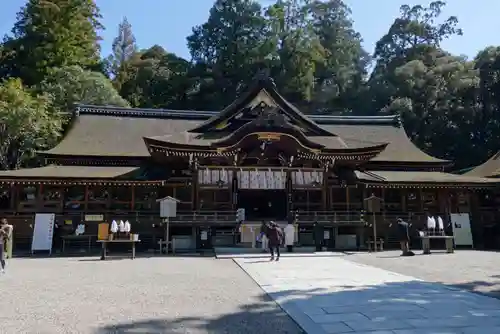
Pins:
x,y
391,306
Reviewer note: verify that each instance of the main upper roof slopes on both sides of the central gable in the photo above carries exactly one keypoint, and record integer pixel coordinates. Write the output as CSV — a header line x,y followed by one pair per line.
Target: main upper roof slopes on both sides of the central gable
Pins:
x,y
99,131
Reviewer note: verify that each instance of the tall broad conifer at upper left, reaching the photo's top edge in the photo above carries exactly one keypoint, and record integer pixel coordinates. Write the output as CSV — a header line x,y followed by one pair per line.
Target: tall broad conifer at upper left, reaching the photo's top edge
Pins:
x,y
50,34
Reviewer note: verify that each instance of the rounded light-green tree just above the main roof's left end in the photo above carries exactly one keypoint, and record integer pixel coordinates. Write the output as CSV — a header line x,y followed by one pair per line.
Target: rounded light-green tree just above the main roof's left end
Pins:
x,y
70,85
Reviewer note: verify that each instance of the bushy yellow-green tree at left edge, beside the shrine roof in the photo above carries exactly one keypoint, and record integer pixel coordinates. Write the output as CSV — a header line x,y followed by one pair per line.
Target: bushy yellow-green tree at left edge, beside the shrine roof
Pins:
x,y
27,123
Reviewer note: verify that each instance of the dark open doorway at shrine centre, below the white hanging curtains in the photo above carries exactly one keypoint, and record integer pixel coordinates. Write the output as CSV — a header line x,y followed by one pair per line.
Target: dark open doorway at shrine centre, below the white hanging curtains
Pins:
x,y
263,204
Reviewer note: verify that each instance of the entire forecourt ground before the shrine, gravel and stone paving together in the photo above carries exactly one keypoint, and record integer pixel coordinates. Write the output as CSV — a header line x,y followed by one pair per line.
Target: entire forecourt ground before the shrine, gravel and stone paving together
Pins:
x,y
324,293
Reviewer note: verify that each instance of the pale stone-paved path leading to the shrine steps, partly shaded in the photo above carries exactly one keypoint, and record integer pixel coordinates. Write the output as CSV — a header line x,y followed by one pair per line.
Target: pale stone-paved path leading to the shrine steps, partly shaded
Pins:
x,y
334,295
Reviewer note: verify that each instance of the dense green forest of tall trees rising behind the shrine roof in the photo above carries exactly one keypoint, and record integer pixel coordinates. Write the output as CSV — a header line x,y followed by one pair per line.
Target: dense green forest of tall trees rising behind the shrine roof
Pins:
x,y
51,60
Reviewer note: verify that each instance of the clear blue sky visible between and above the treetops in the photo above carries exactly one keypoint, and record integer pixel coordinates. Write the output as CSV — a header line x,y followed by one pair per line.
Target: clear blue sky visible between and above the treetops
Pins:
x,y
168,22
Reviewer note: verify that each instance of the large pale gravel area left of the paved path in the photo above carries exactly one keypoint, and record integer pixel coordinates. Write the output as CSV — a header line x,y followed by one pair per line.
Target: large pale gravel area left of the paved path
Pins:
x,y
147,295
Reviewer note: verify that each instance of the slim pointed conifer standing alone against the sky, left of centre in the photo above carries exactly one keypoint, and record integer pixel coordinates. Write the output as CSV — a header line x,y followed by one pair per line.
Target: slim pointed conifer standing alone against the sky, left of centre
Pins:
x,y
124,48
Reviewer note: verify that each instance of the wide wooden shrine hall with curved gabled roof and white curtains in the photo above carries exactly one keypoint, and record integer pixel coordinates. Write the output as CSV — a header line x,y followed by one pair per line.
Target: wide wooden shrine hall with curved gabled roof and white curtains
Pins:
x,y
260,153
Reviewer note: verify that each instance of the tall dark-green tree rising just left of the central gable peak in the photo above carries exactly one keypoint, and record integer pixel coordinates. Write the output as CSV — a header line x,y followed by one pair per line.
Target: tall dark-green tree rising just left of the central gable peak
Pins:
x,y
230,46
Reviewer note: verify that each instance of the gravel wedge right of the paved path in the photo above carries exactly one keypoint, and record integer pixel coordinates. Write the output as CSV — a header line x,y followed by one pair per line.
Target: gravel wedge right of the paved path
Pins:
x,y
472,270
